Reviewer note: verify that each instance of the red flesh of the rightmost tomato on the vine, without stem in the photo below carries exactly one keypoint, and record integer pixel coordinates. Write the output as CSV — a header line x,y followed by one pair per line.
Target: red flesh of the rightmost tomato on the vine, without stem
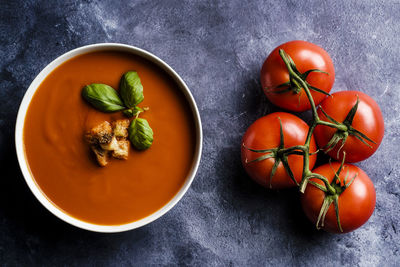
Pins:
x,y
368,120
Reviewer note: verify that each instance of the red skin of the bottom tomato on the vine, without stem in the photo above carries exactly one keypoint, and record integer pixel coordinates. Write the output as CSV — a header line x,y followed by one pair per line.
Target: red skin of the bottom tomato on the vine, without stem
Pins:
x,y
356,203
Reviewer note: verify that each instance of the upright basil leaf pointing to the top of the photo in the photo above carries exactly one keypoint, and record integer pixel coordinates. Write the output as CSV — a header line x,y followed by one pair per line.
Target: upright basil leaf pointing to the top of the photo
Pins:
x,y
131,89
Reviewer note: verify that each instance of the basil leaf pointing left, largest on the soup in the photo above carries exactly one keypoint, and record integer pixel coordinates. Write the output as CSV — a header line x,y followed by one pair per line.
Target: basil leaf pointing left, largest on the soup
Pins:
x,y
102,97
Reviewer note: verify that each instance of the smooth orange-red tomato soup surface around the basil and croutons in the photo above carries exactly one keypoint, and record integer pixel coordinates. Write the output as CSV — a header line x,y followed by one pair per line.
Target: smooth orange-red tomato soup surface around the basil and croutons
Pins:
x,y
61,161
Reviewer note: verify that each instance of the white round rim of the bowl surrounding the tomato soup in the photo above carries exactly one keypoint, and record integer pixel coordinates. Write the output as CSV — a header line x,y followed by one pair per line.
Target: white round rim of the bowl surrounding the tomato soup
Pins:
x,y
20,146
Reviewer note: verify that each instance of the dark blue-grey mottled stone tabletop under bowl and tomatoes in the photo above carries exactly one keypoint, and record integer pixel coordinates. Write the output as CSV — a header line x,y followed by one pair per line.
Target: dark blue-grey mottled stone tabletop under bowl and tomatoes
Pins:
x,y
218,49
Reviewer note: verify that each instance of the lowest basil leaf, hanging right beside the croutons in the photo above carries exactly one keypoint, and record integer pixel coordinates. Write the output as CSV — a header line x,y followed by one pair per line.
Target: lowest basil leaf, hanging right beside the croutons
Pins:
x,y
140,134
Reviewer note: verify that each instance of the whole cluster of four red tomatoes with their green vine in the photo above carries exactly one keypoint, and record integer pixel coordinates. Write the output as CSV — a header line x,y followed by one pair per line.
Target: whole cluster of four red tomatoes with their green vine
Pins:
x,y
279,150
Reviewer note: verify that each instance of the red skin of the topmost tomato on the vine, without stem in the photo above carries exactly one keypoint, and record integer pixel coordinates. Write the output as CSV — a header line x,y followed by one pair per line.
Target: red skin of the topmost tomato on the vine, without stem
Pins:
x,y
306,56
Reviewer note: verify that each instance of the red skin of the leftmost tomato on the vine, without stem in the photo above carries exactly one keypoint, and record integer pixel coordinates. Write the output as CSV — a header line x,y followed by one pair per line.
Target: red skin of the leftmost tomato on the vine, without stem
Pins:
x,y
264,133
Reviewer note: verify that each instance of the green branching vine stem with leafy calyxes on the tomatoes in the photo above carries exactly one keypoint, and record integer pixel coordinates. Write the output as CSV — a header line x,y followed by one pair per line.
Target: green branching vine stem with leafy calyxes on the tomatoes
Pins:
x,y
297,82
